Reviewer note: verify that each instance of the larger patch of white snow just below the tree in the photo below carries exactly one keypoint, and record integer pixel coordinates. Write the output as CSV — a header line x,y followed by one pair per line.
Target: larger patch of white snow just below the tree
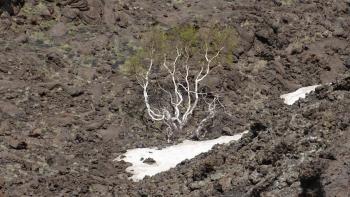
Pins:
x,y
168,157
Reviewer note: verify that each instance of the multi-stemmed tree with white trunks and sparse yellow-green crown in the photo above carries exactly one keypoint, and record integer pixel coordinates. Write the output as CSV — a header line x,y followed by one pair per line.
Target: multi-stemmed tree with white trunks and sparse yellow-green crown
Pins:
x,y
186,61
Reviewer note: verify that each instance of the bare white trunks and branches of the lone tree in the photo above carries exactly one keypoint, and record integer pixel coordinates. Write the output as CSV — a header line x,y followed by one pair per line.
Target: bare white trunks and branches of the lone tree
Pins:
x,y
175,119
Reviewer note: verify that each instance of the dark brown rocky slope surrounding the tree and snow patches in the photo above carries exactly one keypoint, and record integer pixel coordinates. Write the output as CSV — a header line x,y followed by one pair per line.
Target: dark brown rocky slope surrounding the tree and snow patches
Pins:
x,y
66,111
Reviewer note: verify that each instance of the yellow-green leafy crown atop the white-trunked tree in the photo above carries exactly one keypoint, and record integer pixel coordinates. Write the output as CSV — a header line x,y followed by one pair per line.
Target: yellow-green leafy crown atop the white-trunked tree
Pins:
x,y
192,41
